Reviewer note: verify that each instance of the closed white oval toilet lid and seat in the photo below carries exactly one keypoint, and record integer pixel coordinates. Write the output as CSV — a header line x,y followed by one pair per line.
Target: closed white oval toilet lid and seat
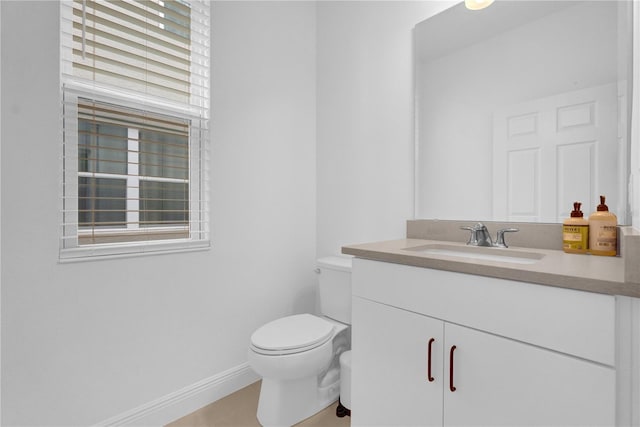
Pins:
x,y
292,334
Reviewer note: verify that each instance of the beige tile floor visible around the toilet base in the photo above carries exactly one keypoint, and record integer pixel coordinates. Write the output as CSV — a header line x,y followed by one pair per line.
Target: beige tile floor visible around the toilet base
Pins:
x,y
239,410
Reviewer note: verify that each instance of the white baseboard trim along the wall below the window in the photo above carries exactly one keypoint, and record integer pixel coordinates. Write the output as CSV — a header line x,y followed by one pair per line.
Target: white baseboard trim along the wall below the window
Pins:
x,y
175,405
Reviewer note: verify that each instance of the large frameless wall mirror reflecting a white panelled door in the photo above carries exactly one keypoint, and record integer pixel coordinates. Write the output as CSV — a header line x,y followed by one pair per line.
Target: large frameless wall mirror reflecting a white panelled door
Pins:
x,y
522,109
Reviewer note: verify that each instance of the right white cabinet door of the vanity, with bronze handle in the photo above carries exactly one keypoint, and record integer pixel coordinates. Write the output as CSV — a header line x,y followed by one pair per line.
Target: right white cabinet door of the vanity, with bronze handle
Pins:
x,y
499,381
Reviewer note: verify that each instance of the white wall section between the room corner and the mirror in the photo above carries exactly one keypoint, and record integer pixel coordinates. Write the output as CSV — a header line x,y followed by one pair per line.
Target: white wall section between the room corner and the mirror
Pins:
x,y
365,119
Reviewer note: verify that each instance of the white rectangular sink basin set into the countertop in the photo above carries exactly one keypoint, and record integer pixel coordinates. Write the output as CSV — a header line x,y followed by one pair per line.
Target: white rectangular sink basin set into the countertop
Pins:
x,y
478,253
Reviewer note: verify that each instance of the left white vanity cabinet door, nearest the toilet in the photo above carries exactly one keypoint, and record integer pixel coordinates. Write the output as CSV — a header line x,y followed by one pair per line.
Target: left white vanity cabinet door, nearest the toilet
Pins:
x,y
390,367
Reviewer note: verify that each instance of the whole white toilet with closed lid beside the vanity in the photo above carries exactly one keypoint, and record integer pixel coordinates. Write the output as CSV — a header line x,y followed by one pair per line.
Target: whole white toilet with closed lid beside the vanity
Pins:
x,y
298,356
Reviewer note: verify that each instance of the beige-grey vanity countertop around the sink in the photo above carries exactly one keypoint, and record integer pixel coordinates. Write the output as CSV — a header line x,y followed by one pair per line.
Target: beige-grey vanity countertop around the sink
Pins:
x,y
605,275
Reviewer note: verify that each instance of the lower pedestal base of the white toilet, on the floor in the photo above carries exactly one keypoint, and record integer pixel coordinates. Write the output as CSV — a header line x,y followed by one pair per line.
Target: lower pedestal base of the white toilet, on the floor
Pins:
x,y
285,403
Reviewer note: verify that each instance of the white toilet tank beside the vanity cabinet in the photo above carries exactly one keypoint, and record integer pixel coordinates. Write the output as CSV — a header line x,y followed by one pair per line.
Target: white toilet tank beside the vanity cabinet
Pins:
x,y
334,282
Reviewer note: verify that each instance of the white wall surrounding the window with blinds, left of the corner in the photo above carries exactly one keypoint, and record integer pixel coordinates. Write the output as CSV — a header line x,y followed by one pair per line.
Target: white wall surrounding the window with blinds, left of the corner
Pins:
x,y
84,342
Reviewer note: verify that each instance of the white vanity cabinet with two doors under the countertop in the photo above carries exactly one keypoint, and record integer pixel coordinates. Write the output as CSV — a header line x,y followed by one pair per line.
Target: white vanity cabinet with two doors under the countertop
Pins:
x,y
432,348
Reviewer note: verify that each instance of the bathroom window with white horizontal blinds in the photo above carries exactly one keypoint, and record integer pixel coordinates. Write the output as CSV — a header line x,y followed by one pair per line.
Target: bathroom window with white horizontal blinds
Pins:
x,y
135,96
